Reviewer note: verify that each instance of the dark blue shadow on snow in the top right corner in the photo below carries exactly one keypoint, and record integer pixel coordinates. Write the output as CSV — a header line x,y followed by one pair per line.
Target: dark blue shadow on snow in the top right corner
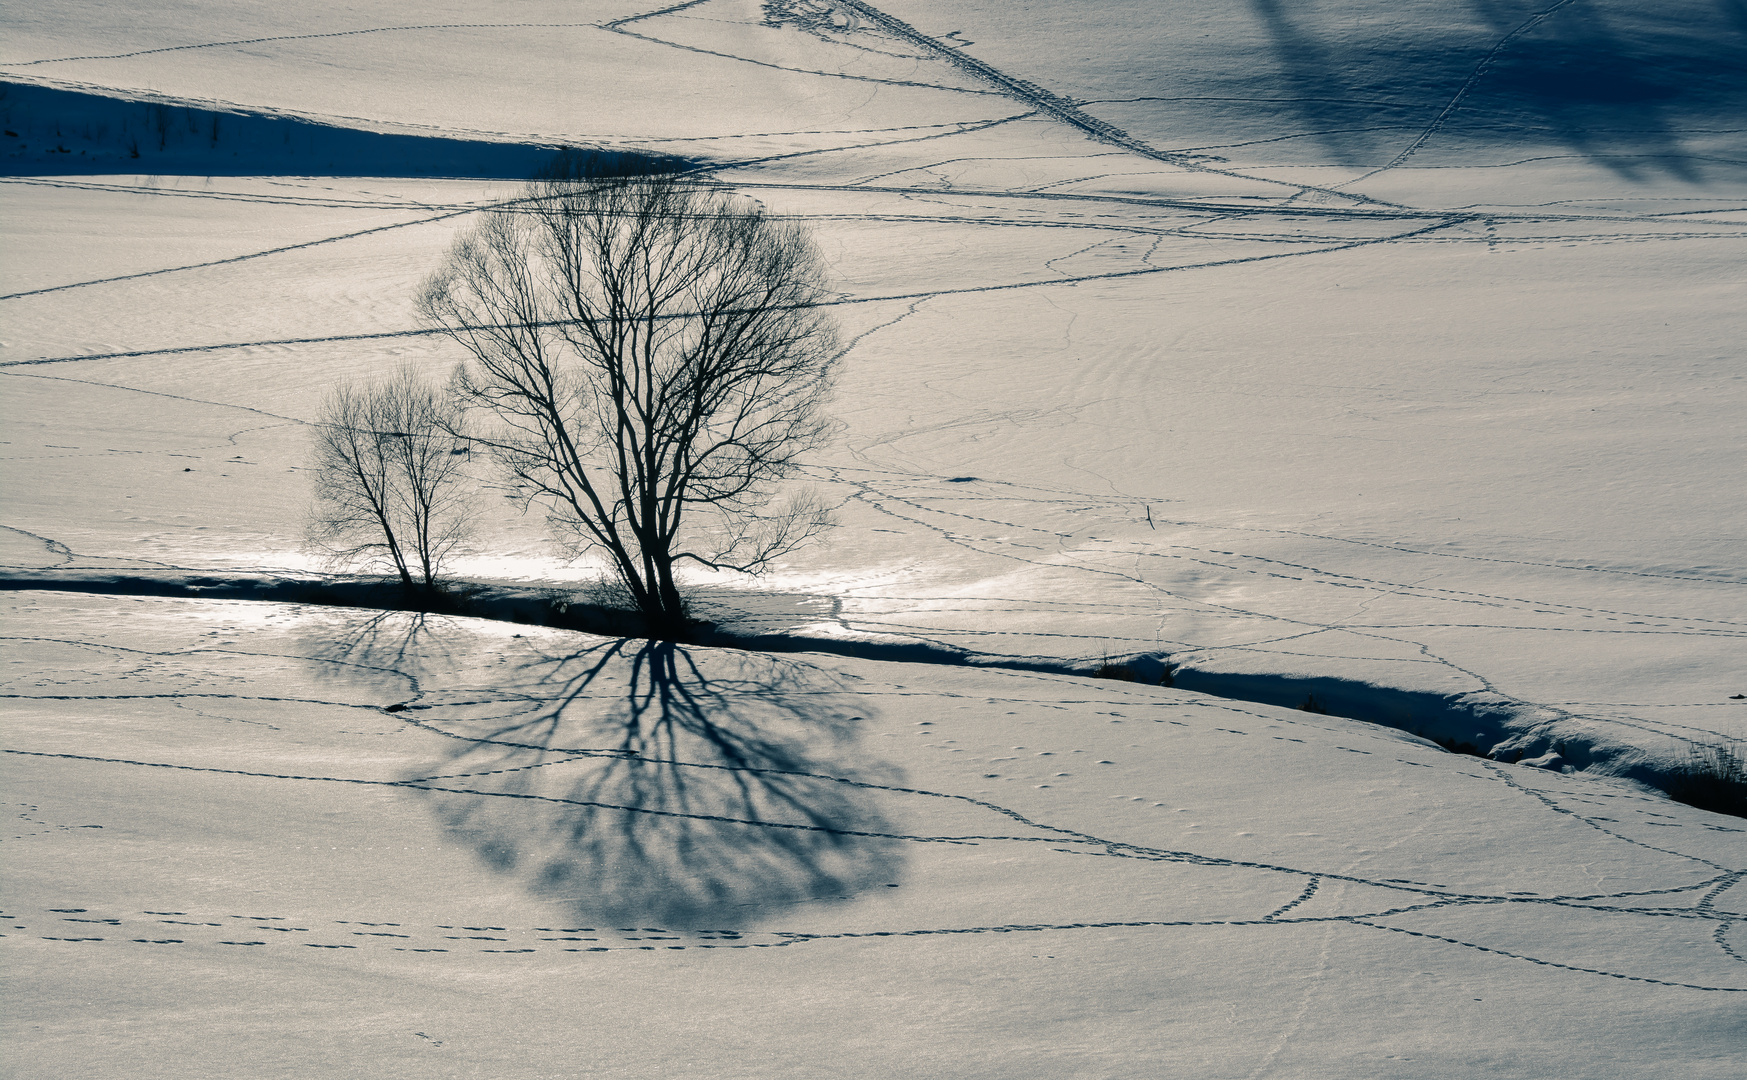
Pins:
x,y
1617,85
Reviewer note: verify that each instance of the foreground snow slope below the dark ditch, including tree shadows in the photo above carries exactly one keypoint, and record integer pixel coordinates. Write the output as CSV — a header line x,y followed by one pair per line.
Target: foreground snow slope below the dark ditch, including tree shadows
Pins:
x,y
976,873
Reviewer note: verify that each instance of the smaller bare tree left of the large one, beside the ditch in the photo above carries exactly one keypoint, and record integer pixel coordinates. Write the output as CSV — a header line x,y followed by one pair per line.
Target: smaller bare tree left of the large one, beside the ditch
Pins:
x,y
390,487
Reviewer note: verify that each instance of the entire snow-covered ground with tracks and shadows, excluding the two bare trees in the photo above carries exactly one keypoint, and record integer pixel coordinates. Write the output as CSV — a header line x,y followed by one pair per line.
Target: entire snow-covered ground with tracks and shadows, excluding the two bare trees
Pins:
x,y
1376,361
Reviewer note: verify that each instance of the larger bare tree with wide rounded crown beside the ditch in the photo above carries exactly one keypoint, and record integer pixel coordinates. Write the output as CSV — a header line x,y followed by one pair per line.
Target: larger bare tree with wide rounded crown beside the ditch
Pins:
x,y
656,363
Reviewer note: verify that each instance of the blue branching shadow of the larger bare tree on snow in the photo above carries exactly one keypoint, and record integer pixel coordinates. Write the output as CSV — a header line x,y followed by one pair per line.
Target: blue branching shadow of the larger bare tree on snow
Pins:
x,y
659,786
